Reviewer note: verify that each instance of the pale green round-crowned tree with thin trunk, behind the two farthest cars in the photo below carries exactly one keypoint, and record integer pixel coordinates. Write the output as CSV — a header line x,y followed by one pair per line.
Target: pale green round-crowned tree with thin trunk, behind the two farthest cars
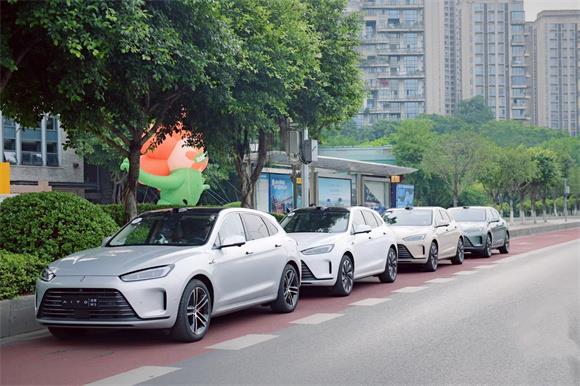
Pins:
x,y
455,158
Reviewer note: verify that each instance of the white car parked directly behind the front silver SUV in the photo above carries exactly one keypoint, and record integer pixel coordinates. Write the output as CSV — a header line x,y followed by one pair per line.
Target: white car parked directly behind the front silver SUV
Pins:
x,y
339,245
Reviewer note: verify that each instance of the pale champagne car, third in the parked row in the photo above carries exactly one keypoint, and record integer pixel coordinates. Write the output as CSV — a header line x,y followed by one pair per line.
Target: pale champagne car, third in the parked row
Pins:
x,y
426,235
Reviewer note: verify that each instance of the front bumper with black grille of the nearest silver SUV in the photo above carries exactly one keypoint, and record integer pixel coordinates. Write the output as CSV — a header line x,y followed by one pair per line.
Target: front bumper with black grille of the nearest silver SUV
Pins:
x,y
140,304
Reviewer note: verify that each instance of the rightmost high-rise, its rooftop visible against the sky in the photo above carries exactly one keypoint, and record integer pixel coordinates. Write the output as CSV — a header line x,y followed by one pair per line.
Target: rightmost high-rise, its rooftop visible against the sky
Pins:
x,y
553,44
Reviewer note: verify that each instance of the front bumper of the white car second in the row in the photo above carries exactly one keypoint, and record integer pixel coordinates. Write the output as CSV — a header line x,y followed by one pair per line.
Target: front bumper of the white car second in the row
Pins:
x,y
319,270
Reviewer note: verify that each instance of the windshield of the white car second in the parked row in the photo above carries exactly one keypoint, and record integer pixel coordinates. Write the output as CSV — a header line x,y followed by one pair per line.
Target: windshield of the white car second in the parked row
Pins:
x,y
321,221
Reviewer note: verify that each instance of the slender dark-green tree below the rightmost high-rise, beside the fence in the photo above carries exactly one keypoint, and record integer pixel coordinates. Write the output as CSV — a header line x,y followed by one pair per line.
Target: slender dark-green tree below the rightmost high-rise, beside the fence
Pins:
x,y
547,173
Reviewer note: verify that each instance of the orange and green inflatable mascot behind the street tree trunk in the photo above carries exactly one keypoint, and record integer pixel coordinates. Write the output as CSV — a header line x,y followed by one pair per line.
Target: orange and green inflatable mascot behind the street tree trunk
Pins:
x,y
174,168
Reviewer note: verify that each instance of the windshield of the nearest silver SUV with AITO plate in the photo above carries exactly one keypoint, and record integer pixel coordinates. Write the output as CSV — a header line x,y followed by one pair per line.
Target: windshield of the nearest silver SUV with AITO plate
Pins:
x,y
167,228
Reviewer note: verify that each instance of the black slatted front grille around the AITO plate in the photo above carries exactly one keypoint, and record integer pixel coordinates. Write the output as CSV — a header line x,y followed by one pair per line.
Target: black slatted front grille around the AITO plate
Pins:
x,y
106,305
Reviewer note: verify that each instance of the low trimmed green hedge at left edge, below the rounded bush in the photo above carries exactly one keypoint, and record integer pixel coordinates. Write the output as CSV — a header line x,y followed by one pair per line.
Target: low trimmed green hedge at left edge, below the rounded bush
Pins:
x,y
18,273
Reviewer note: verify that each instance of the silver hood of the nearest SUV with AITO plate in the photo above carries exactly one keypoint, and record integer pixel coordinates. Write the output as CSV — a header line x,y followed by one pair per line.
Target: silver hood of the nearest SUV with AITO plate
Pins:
x,y
114,261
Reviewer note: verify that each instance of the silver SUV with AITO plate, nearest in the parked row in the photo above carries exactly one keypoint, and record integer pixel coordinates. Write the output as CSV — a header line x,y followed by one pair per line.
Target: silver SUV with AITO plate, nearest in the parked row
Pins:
x,y
172,269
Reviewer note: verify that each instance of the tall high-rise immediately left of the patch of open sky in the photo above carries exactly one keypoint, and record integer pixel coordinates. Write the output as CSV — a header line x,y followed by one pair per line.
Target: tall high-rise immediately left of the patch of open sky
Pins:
x,y
493,55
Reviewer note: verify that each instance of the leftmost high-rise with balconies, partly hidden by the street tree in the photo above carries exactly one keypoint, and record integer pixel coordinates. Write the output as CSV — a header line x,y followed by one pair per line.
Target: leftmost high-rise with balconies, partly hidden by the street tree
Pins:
x,y
392,59
